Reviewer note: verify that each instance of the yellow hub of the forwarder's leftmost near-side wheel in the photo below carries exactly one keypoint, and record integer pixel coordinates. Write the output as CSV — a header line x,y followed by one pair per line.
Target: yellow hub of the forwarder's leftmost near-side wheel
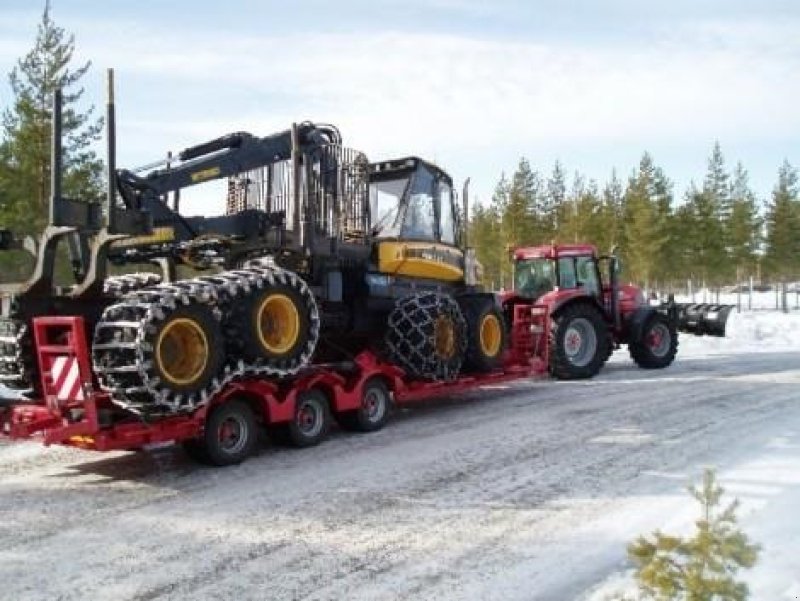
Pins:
x,y
182,351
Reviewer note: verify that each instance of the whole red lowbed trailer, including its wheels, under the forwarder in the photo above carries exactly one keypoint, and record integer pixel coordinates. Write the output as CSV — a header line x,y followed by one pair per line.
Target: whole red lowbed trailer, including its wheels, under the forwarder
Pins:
x,y
74,411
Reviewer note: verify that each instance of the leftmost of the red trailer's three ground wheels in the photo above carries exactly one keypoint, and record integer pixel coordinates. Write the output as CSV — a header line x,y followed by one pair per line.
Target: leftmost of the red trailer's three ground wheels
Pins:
x,y
229,437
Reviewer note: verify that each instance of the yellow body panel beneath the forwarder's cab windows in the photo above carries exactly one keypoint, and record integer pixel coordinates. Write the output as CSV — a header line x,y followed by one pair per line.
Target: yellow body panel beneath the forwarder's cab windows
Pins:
x,y
422,260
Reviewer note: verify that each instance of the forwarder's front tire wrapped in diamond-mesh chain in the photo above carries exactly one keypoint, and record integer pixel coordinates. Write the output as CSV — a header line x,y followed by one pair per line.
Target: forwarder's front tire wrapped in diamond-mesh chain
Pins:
x,y
427,336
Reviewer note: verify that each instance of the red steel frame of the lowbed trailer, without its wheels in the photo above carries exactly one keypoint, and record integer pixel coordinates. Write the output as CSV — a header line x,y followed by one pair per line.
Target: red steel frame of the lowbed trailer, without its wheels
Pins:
x,y
74,411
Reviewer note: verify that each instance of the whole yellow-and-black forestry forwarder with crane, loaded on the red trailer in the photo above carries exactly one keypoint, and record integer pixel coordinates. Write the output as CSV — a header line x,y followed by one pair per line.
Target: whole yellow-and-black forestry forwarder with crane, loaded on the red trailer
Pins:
x,y
328,256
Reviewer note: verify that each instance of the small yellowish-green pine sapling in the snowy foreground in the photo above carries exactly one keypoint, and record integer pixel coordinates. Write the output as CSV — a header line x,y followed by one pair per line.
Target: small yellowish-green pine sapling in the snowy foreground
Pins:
x,y
700,568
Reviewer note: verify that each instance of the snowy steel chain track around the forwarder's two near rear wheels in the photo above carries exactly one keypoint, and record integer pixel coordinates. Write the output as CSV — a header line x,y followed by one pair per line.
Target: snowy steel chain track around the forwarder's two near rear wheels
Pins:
x,y
123,358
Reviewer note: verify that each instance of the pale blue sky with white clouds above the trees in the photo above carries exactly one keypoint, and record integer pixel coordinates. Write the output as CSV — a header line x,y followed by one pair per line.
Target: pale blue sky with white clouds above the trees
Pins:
x,y
473,85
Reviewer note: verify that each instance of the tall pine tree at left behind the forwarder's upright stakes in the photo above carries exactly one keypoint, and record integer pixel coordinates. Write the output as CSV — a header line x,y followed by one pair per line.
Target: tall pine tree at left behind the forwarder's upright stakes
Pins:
x,y
25,147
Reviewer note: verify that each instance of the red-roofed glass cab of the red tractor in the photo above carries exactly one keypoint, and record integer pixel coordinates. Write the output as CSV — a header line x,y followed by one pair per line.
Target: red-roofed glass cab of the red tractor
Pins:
x,y
539,270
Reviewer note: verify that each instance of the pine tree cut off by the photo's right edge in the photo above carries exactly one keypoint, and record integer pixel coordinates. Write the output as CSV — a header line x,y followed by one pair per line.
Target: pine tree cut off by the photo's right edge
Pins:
x,y
783,224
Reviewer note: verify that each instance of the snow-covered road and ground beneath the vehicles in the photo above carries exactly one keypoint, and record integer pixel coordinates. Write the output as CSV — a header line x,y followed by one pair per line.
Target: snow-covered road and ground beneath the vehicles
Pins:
x,y
526,492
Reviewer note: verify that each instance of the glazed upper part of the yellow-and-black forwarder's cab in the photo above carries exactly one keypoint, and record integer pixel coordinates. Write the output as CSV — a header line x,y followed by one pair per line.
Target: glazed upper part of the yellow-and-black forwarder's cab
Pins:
x,y
411,199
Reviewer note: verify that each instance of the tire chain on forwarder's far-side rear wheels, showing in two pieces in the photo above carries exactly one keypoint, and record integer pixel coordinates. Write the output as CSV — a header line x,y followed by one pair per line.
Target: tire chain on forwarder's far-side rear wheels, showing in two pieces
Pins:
x,y
17,360
